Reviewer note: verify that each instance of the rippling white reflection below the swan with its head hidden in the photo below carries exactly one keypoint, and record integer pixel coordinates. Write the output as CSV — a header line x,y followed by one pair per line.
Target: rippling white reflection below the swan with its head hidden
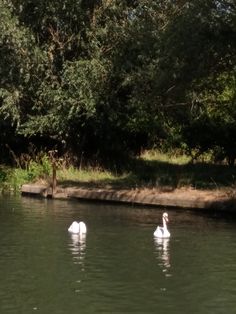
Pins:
x,y
77,247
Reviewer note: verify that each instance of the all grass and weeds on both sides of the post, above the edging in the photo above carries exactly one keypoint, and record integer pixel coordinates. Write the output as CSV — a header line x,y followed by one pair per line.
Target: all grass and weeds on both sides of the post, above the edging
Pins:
x,y
152,170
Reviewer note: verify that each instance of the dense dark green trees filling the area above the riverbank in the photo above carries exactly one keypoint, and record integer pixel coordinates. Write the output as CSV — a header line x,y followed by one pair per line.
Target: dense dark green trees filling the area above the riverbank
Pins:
x,y
101,79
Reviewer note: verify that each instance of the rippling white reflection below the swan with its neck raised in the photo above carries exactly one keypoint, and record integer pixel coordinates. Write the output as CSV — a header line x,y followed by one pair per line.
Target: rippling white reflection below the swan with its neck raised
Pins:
x,y
162,247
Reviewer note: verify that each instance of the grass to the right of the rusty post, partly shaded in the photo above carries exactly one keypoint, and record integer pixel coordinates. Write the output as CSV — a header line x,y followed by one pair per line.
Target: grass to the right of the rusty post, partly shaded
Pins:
x,y
156,170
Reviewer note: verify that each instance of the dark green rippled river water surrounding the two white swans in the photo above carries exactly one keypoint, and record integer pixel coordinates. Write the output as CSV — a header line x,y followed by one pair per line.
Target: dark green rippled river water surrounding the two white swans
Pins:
x,y
118,268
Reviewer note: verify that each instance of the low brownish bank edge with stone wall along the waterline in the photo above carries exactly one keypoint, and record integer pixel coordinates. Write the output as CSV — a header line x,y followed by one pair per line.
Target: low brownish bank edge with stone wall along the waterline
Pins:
x,y
189,198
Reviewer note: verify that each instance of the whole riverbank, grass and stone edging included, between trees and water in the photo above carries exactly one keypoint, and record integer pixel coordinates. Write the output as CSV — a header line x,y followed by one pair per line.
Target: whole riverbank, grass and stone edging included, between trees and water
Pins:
x,y
153,179
